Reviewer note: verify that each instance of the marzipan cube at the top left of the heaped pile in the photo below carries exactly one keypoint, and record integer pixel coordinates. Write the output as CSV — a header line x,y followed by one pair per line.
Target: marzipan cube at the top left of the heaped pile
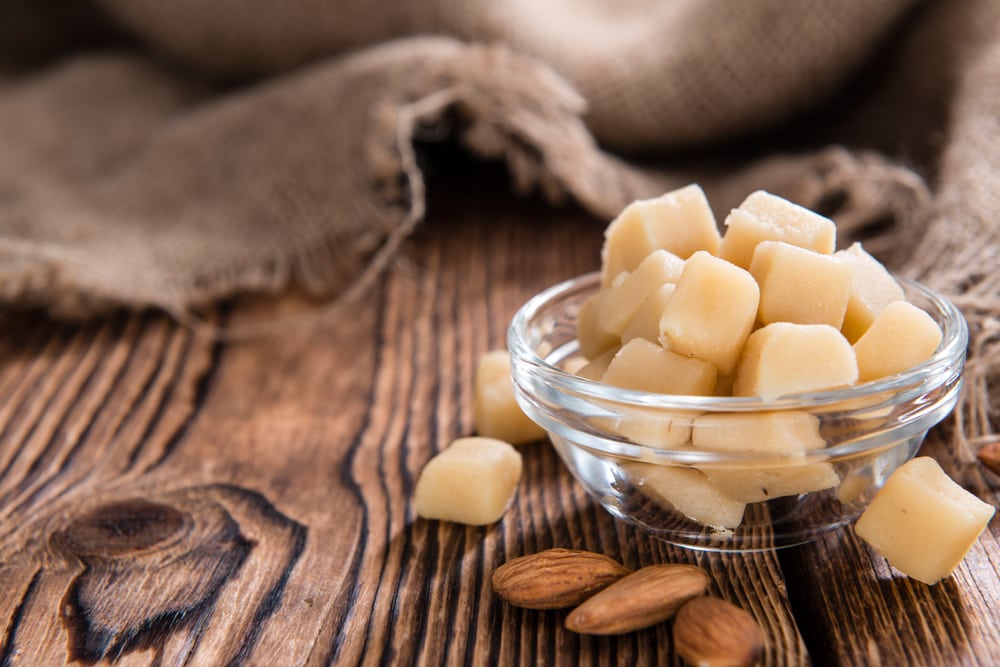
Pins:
x,y
680,221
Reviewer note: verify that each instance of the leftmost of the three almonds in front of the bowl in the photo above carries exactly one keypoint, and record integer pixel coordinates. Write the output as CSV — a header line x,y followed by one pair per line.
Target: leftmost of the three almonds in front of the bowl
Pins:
x,y
555,578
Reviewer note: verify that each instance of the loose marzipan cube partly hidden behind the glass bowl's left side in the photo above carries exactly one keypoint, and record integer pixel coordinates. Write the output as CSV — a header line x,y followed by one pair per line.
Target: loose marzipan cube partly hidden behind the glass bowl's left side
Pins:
x,y
496,413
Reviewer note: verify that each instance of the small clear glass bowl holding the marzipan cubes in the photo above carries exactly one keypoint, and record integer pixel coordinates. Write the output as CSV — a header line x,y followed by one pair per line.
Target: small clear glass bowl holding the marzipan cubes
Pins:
x,y
632,450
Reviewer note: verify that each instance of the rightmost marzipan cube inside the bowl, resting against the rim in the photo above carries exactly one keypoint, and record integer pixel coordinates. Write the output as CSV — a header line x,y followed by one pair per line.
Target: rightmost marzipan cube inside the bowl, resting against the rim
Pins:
x,y
901,337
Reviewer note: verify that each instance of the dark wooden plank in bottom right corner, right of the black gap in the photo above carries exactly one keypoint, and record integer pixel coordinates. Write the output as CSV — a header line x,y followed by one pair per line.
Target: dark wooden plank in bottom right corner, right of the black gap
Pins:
x,y
886,618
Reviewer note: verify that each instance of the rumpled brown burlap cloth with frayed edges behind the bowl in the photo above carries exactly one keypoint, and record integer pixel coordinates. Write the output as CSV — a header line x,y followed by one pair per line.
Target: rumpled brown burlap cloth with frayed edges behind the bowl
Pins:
x,y
173,153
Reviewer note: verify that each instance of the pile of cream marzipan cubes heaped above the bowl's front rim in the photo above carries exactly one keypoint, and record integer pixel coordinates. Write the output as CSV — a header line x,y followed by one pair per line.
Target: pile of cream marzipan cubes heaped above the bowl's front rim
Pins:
x,y
767,310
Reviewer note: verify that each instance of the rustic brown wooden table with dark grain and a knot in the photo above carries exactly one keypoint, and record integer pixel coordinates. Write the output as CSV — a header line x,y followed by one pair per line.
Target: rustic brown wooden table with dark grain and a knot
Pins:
x,y
166,499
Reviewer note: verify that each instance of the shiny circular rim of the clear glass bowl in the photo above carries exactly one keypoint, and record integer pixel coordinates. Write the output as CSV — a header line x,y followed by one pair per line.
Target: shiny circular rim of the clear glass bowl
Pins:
x,y
950,353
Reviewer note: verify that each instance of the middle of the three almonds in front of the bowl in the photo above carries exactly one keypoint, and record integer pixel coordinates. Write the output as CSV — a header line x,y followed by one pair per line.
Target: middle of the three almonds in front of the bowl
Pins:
x,y
644,598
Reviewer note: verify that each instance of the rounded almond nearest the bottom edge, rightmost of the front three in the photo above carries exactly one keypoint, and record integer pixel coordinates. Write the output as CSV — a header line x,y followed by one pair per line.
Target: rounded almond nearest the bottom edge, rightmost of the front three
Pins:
x,y
710,632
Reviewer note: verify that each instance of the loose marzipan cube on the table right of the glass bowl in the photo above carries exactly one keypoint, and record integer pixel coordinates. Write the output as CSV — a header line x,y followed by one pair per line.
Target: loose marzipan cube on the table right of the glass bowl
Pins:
x,y
922,521
